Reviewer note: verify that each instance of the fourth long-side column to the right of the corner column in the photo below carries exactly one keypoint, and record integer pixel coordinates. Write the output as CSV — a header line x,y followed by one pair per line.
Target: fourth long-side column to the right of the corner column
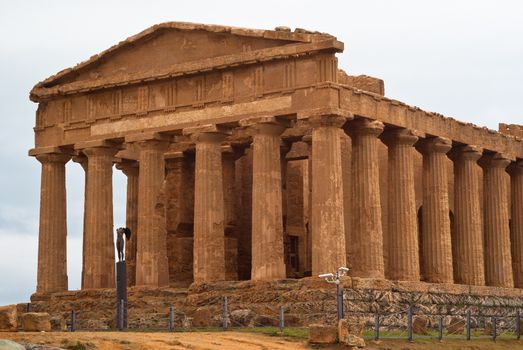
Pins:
x,y
467,239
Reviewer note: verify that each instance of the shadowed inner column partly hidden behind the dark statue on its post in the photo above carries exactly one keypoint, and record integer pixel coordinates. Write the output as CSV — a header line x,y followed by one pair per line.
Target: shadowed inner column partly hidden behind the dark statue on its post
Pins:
x,y
131,170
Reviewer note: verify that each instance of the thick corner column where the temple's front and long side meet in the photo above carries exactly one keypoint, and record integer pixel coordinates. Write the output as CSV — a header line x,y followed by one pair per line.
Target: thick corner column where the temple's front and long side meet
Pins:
x,y
328,228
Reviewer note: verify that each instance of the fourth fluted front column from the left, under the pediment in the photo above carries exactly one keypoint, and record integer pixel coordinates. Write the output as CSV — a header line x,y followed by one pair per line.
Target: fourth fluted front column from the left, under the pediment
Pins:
x,y
209,237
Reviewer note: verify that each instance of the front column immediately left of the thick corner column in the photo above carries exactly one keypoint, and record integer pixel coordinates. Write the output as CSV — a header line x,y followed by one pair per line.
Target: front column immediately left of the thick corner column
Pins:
x,y
267,226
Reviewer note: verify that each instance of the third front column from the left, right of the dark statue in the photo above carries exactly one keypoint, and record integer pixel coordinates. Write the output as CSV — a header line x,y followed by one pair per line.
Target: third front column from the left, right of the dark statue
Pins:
x,y
151,253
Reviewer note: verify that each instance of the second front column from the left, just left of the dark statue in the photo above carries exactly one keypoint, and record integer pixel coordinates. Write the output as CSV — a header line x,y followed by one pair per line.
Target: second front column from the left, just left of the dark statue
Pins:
x,y
98,271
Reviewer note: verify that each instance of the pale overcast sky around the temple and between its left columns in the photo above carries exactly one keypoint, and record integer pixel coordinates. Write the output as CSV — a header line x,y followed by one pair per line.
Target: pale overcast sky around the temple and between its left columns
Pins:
x,y
460,58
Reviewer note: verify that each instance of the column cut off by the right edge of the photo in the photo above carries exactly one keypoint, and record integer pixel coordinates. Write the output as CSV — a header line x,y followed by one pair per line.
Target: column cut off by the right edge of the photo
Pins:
x,y
516,180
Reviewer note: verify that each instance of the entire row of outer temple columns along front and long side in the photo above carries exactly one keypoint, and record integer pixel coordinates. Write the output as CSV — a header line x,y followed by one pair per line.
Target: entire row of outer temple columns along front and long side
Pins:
x,y
469,256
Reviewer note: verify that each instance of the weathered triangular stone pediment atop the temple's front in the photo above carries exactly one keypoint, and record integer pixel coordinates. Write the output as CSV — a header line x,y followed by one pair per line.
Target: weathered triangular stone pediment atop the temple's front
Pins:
x,y
172,44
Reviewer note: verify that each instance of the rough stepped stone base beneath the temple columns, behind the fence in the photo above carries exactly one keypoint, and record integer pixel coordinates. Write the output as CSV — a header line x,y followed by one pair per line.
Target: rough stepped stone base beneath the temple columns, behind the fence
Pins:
x,y
305,301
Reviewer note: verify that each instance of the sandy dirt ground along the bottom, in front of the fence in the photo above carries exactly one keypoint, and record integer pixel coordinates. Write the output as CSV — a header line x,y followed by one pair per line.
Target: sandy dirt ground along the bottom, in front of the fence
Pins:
x,y
228,340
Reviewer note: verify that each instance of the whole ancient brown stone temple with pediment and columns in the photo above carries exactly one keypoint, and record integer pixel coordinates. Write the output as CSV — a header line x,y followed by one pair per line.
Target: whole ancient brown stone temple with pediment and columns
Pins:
x,y
250,155
